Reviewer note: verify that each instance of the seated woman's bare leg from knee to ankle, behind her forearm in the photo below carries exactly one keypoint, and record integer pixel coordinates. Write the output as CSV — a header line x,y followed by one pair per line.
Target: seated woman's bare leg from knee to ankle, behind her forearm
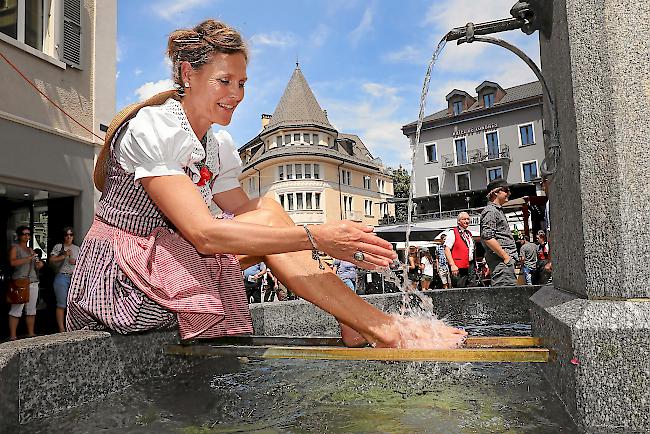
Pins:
x,y
302,275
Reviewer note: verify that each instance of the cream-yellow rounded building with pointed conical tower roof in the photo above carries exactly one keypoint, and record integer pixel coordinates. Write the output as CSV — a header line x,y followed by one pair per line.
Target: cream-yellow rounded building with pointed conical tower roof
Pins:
x,y
317,173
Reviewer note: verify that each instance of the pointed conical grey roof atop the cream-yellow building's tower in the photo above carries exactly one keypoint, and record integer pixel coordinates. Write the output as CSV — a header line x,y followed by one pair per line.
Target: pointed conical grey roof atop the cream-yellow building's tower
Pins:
x,y
298,105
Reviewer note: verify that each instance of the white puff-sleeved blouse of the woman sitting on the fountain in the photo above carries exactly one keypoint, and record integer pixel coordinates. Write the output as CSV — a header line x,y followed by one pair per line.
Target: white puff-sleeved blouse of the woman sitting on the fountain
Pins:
x,y
159,141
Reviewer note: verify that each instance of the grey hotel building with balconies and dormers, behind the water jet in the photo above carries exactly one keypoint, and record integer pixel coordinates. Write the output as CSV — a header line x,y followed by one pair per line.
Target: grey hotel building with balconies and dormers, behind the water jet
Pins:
x,y
495,133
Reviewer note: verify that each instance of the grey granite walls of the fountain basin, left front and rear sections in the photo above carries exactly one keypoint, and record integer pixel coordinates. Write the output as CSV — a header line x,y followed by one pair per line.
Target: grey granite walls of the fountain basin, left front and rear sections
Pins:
x,y
50,375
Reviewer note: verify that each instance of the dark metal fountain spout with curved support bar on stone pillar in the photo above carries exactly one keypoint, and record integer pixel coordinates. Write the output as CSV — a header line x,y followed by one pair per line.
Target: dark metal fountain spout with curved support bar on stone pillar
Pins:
x,y
529,16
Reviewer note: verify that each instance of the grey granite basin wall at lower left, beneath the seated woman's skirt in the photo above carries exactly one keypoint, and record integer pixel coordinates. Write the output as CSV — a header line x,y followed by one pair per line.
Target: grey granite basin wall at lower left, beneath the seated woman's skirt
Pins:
x,y
45,375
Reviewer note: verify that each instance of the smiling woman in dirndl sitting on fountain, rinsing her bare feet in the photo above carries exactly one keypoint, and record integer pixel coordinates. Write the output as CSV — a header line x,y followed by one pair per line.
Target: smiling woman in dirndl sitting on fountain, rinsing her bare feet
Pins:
x,y
155,257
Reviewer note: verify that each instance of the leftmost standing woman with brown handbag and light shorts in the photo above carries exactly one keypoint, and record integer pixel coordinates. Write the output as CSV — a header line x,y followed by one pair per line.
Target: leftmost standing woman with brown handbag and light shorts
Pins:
x,y
25,263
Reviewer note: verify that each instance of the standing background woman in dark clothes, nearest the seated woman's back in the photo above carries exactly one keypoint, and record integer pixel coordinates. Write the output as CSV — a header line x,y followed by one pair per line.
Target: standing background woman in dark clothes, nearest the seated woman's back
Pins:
x,y
63,259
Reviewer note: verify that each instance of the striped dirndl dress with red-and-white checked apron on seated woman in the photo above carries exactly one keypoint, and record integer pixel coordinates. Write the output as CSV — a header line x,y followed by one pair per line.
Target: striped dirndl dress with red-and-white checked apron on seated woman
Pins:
x,y
134,273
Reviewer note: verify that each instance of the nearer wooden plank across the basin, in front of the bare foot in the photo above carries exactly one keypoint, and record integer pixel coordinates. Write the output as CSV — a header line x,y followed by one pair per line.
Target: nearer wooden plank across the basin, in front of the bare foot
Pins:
x,y
536,355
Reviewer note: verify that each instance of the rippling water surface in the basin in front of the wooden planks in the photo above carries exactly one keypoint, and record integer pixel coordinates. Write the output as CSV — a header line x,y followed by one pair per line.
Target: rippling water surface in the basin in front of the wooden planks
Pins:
x,y
297,396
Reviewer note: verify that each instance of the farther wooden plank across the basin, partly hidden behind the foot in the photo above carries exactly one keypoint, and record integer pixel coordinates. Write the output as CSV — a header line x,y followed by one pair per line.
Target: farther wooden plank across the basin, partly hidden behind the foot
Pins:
x,y
286,341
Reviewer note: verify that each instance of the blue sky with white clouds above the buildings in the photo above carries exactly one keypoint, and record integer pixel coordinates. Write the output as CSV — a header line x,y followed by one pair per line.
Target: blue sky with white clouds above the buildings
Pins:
x,y
365,60
